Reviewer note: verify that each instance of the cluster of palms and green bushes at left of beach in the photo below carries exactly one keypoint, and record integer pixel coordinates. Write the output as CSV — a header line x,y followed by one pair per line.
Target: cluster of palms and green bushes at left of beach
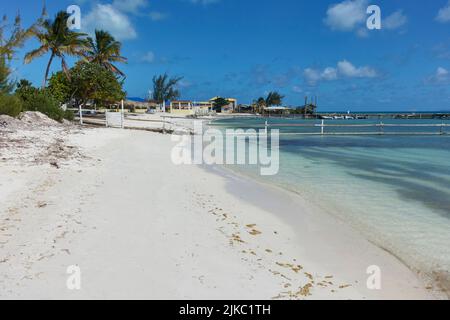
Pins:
x,y
94,77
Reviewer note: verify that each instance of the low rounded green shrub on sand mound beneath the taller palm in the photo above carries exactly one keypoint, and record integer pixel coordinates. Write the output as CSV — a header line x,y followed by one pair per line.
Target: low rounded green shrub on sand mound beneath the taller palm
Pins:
x,y
44,103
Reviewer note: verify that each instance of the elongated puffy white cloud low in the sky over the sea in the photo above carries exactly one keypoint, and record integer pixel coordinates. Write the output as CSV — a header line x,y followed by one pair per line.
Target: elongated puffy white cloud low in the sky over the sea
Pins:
x,y
344,69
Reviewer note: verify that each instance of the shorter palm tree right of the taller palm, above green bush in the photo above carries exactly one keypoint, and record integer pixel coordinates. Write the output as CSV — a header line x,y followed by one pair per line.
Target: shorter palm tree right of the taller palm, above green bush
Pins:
x,y
105,50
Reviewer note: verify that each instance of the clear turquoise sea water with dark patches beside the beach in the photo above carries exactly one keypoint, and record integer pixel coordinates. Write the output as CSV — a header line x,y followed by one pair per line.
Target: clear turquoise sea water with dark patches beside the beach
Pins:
x,y
394,189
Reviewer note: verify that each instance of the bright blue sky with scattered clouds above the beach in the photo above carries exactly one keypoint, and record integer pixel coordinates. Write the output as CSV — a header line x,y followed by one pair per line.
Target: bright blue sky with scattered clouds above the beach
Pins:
x,y
246,48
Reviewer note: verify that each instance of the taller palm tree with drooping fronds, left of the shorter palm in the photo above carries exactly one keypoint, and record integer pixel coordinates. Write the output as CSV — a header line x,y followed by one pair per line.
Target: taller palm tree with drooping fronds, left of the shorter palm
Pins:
x,y
55,37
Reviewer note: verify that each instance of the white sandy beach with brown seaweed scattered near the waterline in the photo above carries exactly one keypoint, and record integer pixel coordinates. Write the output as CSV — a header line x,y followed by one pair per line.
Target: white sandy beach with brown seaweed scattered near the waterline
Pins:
x,y
140,227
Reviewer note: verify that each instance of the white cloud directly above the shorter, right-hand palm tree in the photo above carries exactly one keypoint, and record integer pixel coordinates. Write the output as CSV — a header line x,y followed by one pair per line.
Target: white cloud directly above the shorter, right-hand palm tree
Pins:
x,y
107,17
